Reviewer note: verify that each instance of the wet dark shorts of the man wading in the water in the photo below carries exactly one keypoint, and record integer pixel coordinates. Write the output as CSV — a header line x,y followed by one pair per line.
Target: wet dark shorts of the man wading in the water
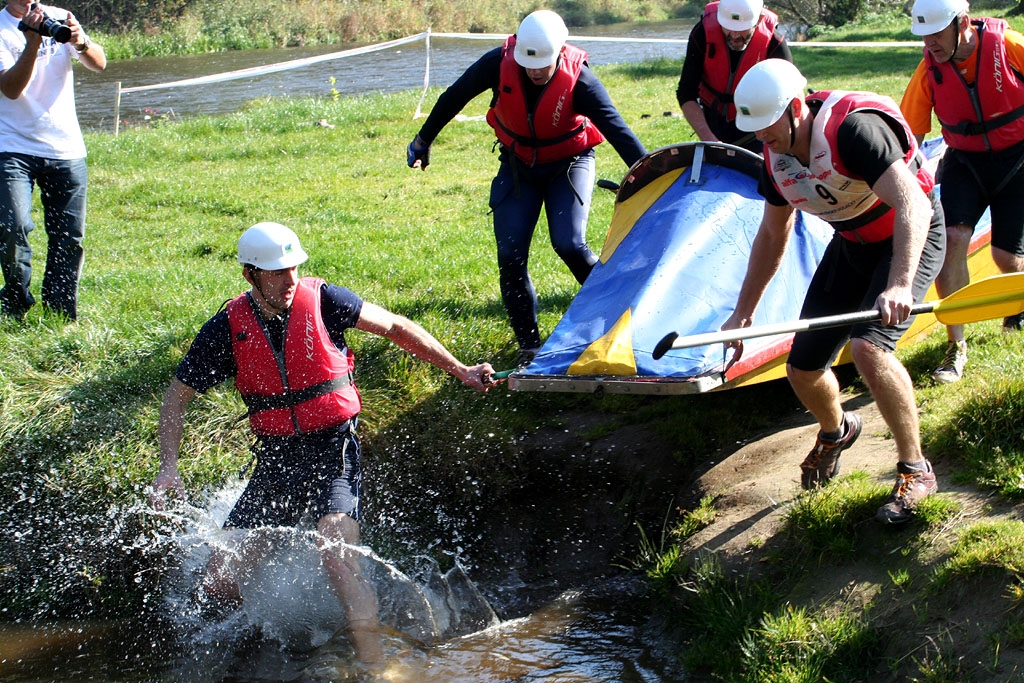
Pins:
x,y
302,479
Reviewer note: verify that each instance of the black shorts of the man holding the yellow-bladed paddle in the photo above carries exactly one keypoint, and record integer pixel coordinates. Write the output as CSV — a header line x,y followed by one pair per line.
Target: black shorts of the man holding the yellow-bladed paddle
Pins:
x,y
849,279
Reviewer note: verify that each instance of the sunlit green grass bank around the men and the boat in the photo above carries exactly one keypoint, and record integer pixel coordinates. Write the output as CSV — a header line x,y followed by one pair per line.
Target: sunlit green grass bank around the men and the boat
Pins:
x,y
167,204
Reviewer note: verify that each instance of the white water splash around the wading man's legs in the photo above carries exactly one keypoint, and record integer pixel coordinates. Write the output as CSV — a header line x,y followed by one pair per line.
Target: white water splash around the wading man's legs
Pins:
x,y
288,601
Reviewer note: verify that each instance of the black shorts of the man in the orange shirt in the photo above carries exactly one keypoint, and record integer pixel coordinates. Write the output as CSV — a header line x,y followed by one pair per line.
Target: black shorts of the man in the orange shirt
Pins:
x,y
973,182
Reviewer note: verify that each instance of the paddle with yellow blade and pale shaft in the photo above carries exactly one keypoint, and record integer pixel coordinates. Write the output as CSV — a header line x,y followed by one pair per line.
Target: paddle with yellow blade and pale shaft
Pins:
x,y
999,296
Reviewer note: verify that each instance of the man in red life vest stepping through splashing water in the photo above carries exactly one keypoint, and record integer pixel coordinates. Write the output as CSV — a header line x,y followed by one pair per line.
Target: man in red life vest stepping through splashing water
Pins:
x,y
284,344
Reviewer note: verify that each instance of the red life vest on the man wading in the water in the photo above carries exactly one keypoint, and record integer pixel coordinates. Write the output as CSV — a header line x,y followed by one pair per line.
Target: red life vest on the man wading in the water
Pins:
x,y
305,389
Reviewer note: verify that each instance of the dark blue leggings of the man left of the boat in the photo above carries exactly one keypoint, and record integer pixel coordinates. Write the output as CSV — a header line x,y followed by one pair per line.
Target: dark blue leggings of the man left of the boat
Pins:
x,y
518,193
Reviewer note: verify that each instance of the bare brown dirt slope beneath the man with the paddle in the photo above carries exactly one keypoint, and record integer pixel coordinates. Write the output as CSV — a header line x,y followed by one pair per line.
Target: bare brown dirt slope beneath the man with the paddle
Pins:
x,y
754,487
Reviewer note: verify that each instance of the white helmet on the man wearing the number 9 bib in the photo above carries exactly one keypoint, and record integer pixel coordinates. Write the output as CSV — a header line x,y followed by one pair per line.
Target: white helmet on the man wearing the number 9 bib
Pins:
x,y
765,93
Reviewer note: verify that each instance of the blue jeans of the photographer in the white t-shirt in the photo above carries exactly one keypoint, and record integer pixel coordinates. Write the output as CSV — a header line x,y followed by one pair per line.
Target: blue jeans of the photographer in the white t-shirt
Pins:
x,y
63,190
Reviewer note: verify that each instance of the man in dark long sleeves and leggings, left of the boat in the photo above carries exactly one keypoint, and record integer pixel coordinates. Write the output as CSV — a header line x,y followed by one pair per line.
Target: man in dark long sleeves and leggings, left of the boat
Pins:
x,y
549,111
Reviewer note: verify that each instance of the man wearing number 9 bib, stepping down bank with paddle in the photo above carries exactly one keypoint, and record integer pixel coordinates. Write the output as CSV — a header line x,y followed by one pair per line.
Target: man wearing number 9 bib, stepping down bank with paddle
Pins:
x,y
850,159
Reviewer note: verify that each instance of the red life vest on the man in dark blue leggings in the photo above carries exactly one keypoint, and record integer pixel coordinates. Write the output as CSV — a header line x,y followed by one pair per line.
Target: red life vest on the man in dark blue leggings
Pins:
x,y
552,132
